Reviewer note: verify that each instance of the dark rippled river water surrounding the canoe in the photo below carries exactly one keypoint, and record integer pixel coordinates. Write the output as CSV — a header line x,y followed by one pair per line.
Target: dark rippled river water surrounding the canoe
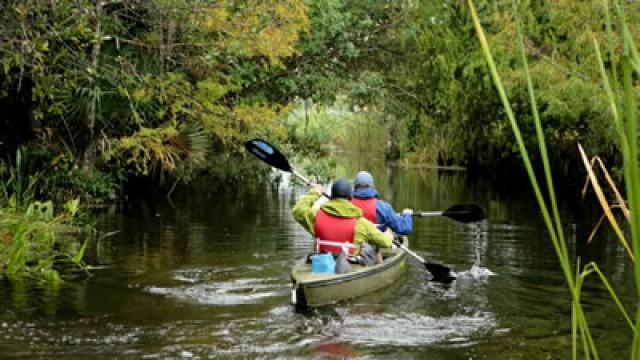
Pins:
x,y
207,277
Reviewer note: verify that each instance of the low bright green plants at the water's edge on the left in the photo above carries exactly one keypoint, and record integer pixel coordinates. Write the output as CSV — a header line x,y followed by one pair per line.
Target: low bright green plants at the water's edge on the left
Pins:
x,y
37,244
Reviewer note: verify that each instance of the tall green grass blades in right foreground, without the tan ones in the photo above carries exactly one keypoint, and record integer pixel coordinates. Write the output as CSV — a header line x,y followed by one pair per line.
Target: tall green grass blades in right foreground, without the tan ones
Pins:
x,y
623,109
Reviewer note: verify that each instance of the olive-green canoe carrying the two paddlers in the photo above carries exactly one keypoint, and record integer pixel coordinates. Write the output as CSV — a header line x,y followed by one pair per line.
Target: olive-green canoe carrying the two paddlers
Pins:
x,y
317,289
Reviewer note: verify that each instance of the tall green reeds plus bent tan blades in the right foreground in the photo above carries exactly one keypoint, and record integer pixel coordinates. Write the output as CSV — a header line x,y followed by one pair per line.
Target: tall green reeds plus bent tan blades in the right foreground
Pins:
x,y
617,71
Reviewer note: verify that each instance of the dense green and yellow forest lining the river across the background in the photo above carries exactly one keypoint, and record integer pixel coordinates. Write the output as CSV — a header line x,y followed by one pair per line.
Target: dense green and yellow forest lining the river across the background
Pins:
x,y
94,94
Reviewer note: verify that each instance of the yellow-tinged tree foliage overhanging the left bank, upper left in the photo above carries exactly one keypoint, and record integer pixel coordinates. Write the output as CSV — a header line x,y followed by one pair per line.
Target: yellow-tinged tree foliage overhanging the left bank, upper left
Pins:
x,y
108,79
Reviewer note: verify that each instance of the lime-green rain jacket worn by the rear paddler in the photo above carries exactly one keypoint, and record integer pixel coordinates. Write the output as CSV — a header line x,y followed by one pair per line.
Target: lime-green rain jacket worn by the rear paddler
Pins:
x,y
365,230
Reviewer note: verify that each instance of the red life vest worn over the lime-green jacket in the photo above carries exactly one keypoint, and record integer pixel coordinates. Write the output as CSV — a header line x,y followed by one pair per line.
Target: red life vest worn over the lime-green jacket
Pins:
x,y
334,234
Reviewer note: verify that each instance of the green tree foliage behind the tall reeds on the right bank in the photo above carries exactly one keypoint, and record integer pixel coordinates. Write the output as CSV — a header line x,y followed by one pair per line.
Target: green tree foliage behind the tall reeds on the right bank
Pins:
x,y
446,83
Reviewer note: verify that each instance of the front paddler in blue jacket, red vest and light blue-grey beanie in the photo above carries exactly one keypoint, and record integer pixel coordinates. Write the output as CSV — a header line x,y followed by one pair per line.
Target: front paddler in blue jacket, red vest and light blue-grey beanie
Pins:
x,y
378,211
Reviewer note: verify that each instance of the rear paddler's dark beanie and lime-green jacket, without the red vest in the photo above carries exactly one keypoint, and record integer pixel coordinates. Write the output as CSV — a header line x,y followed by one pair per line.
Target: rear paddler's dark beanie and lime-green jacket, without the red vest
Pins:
x,y
340,206
